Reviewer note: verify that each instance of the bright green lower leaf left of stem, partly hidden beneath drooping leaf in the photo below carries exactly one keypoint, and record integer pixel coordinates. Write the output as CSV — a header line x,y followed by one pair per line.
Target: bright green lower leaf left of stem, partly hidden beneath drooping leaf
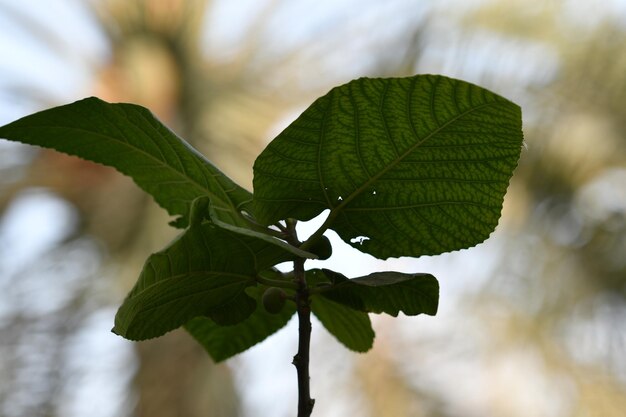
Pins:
x,y
223,342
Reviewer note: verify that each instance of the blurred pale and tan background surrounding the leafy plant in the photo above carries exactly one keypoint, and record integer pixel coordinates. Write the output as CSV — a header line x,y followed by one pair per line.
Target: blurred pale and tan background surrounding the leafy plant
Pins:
x,y
531,323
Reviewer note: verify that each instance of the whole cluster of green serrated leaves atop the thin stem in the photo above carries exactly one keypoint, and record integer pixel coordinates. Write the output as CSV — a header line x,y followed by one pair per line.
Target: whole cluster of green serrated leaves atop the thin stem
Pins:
x,y
405,166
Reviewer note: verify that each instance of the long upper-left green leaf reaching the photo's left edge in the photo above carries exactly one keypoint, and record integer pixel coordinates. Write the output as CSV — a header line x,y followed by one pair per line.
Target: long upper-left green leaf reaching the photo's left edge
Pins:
x,y
130,139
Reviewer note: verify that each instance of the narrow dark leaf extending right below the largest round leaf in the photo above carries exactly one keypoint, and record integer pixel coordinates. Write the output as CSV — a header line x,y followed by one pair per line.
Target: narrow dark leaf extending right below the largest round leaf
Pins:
x,y
382,292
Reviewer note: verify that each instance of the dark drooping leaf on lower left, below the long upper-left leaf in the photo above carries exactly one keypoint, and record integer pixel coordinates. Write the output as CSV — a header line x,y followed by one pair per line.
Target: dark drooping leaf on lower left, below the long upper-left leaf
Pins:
x,y
202,273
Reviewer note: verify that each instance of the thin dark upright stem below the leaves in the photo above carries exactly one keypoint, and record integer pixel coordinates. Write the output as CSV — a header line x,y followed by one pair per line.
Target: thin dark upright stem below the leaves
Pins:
x,y
301,360
